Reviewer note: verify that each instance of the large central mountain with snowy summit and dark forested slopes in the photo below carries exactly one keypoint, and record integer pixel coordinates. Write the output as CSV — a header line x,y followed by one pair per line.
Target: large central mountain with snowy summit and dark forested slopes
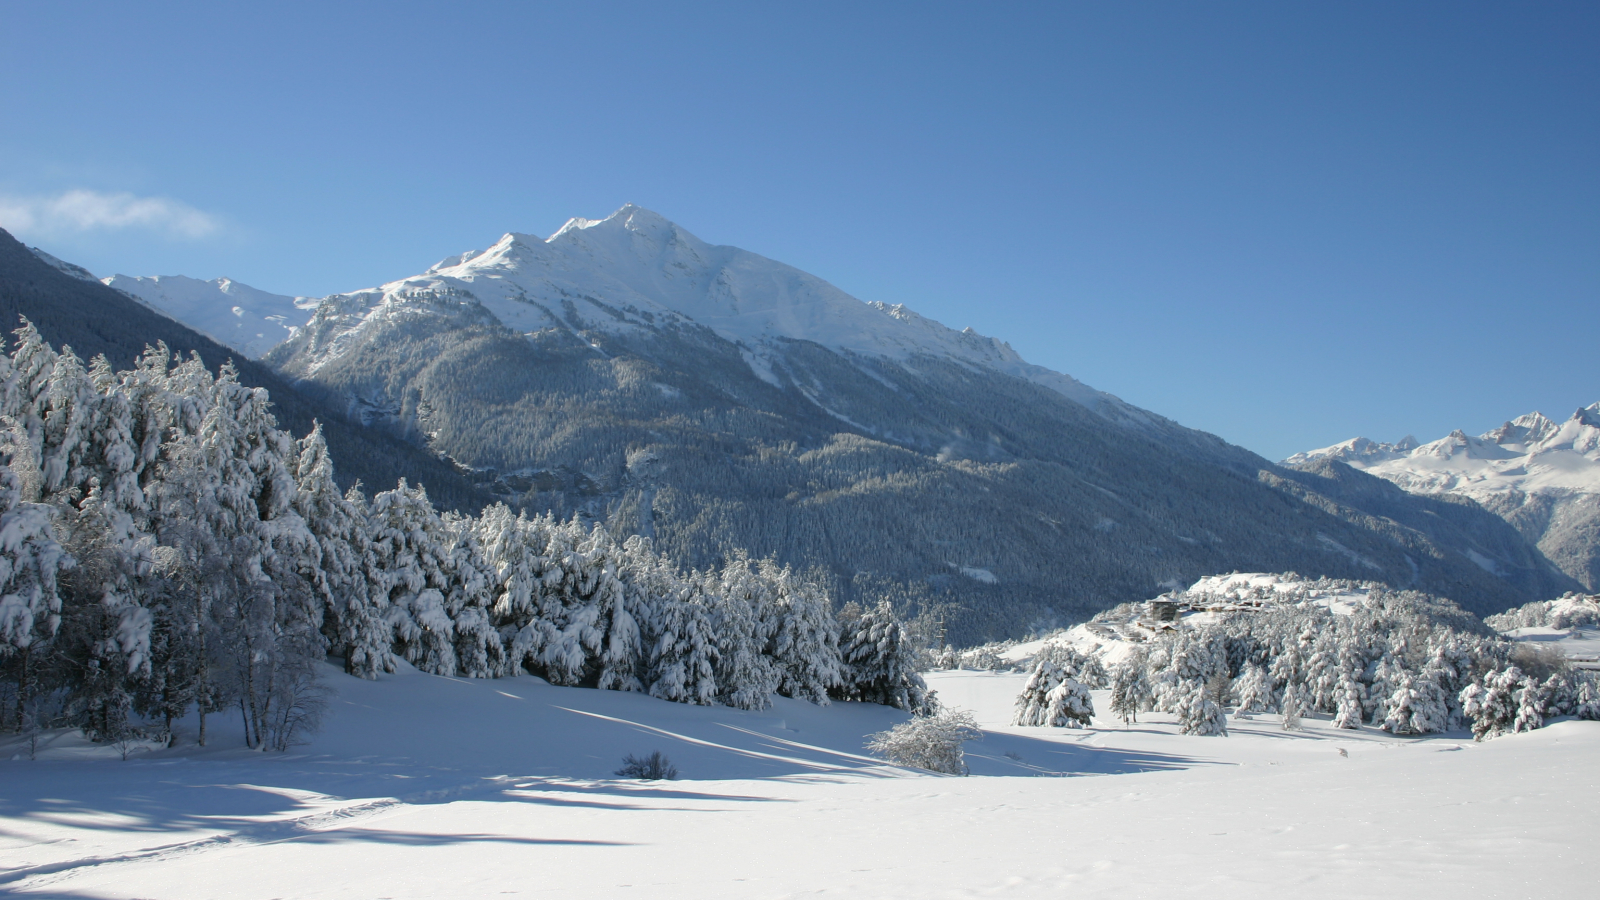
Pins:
x,y
718,401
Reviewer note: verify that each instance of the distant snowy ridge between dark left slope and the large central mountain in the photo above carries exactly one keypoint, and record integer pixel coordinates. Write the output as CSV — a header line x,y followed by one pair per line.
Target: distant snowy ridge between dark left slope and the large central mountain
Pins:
x,y
247,319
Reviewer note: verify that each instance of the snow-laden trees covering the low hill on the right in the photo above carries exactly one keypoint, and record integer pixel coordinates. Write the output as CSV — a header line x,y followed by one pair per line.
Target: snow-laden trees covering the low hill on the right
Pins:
x,y
1401,661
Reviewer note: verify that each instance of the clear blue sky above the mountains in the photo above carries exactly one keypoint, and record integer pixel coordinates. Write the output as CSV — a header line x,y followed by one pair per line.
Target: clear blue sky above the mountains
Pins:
x,y
1287,225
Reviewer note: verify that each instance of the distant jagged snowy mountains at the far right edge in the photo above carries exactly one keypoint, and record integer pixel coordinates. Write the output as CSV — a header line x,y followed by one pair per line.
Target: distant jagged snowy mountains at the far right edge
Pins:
x,y
1540,475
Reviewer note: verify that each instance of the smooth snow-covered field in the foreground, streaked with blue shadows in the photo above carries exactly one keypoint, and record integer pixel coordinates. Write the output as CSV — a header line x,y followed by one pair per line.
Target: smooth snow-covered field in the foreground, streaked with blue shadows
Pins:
x,y
431,787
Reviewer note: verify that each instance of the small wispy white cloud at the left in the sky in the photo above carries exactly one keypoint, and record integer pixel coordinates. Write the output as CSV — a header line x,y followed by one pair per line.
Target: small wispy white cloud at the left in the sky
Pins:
x,y
76,212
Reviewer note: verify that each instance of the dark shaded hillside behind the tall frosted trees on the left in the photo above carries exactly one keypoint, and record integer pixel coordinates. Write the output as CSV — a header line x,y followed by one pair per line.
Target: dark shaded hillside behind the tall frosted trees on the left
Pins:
x,y
97,319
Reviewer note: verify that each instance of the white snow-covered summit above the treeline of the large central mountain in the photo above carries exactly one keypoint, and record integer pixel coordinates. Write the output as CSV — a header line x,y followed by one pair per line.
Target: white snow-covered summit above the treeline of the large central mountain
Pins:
x,y
636,273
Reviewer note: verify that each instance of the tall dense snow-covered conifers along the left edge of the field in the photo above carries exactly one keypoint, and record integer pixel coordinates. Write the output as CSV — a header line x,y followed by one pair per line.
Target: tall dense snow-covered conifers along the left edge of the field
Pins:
x,y
166,548
